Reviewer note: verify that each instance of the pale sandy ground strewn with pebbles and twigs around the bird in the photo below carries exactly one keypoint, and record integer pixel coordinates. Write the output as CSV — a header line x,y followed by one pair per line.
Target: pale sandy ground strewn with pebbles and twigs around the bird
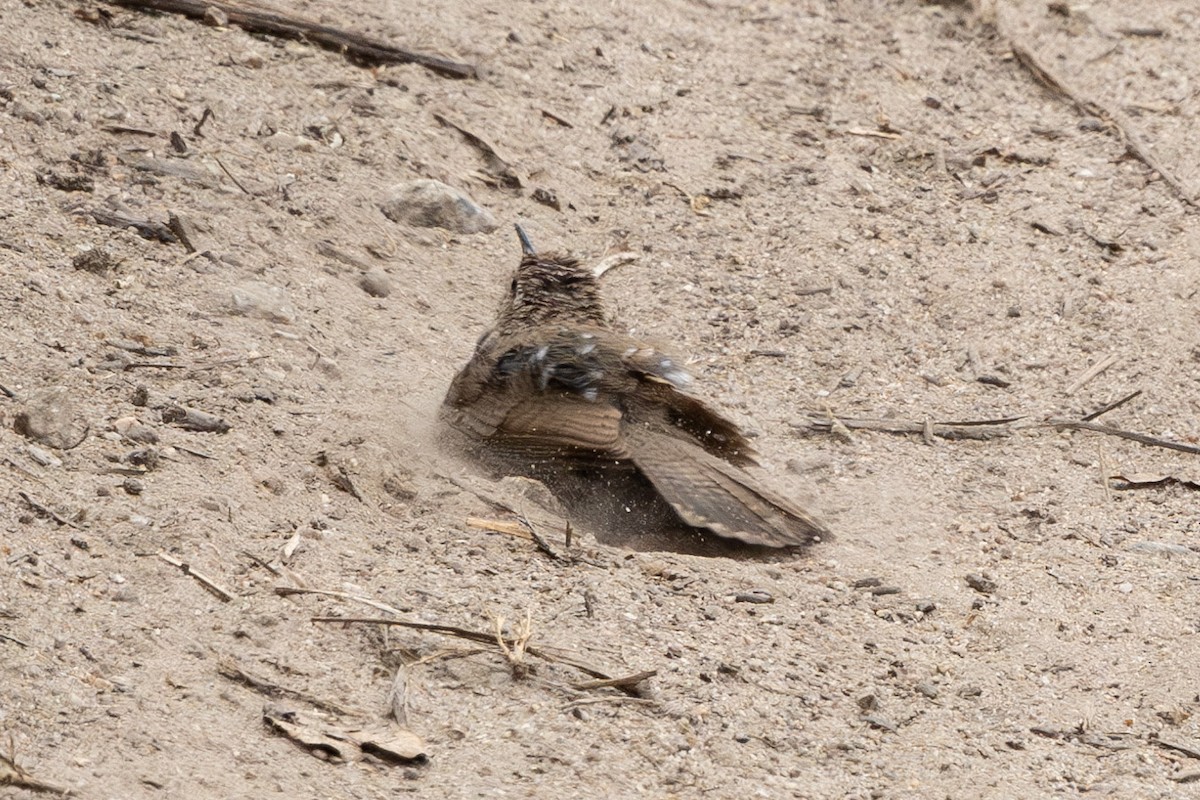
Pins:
x,y
860,208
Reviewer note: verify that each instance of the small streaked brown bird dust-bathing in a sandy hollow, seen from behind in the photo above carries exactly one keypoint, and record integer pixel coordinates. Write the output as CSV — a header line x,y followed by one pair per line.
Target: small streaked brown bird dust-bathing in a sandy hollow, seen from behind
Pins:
x,y
555,392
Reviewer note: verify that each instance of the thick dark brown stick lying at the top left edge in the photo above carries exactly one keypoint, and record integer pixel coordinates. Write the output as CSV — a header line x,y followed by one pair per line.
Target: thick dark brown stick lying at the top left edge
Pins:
x,y
262,21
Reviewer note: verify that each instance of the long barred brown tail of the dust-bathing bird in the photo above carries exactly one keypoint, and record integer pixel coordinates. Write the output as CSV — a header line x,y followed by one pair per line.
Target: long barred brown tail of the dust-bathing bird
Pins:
x,y
709,492
